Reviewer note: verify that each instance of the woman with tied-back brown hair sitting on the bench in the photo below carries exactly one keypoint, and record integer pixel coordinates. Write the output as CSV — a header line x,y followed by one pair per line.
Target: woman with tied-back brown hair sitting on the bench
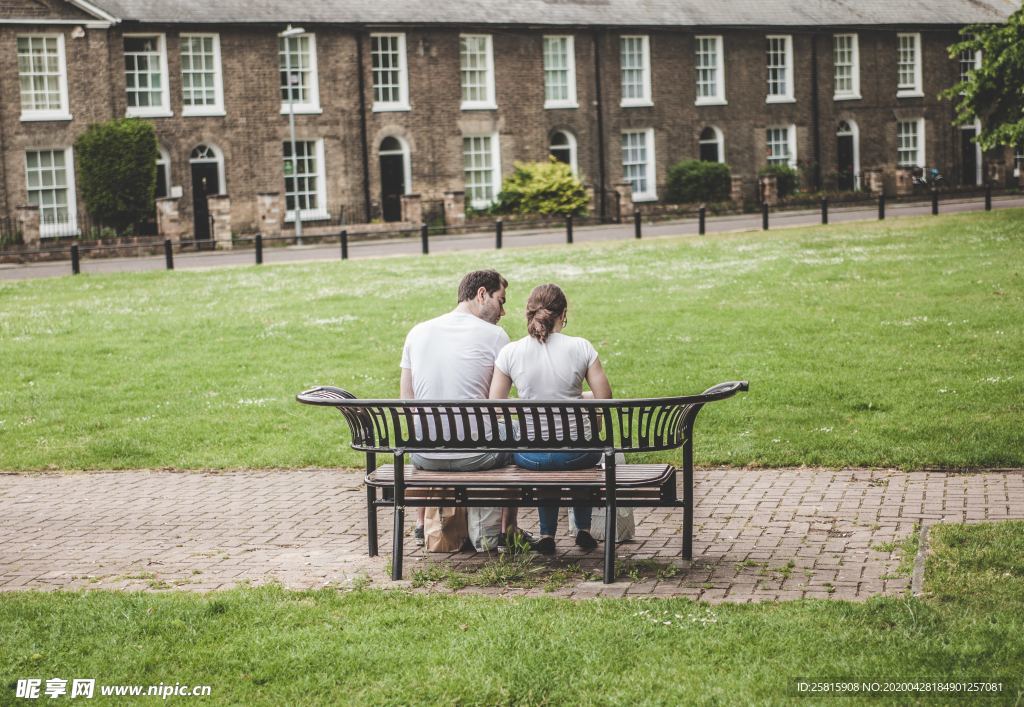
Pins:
x,y
548,365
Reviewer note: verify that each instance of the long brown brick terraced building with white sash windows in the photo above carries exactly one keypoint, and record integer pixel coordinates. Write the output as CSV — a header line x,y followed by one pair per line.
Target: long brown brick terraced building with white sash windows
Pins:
x,y
396,98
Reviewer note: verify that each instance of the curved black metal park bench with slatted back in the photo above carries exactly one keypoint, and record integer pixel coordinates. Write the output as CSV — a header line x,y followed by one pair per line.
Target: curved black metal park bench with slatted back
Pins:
x,y
402,428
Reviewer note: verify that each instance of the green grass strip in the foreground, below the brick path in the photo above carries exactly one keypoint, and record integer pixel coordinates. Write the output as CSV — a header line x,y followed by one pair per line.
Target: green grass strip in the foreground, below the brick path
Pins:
x,y
273,647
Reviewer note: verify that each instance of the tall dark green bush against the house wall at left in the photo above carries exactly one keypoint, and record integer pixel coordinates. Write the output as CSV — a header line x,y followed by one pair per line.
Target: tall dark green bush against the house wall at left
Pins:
x,y
117,172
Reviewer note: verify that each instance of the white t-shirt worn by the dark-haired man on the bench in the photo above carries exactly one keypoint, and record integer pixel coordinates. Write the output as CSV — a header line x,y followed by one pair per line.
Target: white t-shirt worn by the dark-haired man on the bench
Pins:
x,y
452,357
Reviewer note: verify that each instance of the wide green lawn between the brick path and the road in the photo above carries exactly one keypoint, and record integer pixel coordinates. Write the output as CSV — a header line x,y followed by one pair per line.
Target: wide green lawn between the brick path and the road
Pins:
x,y
889,344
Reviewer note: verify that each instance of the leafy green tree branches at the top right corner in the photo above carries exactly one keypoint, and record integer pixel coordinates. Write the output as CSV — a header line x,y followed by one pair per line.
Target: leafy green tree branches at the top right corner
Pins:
x,y
994,93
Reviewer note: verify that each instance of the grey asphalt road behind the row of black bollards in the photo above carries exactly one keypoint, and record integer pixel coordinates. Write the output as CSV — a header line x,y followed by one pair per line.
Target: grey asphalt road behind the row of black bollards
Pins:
x,y
486,241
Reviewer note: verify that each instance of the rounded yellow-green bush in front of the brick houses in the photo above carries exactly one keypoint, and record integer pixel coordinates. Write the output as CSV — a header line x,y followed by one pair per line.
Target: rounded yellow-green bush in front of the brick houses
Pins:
x,y
544,188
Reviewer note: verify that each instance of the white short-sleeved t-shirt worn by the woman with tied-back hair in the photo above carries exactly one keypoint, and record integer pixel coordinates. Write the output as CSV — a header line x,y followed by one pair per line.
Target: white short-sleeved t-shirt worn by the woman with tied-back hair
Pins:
x,y
553,370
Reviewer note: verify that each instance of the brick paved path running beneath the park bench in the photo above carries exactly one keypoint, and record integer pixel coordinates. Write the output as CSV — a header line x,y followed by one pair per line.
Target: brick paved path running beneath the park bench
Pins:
x,y
202,531
